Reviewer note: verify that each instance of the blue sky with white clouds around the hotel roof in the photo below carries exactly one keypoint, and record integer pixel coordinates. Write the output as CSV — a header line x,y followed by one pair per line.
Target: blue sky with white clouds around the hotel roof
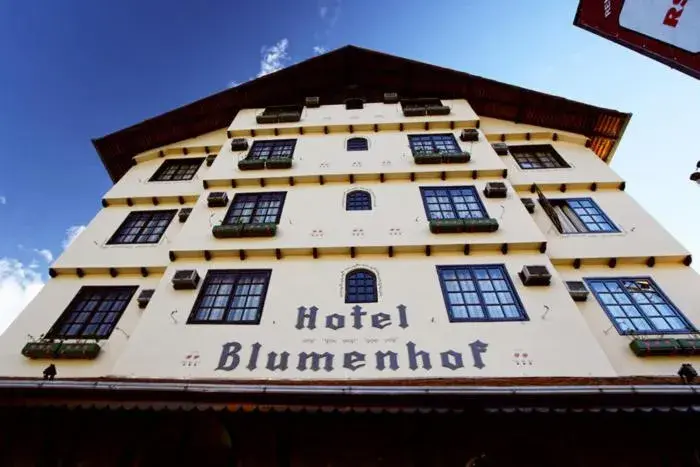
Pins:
x,y
78,69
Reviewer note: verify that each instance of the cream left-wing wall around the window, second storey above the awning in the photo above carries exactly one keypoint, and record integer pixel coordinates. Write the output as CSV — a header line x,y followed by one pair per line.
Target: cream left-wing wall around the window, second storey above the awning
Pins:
x,y
90,248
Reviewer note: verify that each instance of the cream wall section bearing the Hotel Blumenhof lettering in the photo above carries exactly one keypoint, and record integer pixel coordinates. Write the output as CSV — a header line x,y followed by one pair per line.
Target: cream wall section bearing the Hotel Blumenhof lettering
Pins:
x,y
552,340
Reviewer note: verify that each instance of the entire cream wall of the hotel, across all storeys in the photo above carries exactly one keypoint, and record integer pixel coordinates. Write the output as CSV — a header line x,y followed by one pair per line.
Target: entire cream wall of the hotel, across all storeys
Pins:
x,y
566,340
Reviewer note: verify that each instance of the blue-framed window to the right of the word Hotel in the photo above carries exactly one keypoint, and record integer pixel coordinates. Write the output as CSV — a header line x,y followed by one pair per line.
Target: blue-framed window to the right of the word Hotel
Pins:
x,y
480,293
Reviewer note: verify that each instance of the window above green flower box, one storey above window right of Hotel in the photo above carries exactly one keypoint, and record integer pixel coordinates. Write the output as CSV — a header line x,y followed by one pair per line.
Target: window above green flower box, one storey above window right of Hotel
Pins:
x,y
457,202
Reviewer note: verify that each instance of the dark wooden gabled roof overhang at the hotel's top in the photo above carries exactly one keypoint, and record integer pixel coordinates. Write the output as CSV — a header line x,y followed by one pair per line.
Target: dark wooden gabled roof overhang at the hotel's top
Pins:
x,y
353,71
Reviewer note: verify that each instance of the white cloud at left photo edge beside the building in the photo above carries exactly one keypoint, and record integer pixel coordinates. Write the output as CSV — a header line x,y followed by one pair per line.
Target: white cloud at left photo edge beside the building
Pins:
x,y
18,286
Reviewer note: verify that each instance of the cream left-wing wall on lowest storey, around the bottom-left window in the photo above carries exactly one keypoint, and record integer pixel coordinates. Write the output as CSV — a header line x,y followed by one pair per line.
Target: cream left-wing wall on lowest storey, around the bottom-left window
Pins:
x,y
38,317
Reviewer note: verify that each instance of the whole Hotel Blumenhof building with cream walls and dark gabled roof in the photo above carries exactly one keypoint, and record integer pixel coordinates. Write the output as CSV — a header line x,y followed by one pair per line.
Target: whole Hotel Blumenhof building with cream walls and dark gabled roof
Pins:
x,y
361,260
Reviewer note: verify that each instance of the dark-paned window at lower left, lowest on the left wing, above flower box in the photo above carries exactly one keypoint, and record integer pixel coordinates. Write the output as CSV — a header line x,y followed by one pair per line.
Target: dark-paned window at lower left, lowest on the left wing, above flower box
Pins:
x,y
92,314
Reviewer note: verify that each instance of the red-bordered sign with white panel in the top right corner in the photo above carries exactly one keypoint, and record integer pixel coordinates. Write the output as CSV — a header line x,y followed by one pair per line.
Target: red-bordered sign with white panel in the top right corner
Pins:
x,y
665,30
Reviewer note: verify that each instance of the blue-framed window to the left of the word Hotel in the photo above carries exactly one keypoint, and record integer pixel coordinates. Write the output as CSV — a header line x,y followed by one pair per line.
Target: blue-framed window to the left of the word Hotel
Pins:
x,y
231,297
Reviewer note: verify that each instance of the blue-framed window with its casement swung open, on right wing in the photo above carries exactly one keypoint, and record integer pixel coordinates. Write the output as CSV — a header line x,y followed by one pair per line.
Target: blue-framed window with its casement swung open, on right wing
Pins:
x,y
581,215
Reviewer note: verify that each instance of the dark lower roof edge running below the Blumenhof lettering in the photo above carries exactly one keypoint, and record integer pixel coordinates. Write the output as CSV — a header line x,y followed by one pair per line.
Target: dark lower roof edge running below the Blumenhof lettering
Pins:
x,y
486,394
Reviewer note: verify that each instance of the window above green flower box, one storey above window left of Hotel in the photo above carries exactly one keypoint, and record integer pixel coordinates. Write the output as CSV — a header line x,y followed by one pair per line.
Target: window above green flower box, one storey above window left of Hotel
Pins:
x,y
256,208
